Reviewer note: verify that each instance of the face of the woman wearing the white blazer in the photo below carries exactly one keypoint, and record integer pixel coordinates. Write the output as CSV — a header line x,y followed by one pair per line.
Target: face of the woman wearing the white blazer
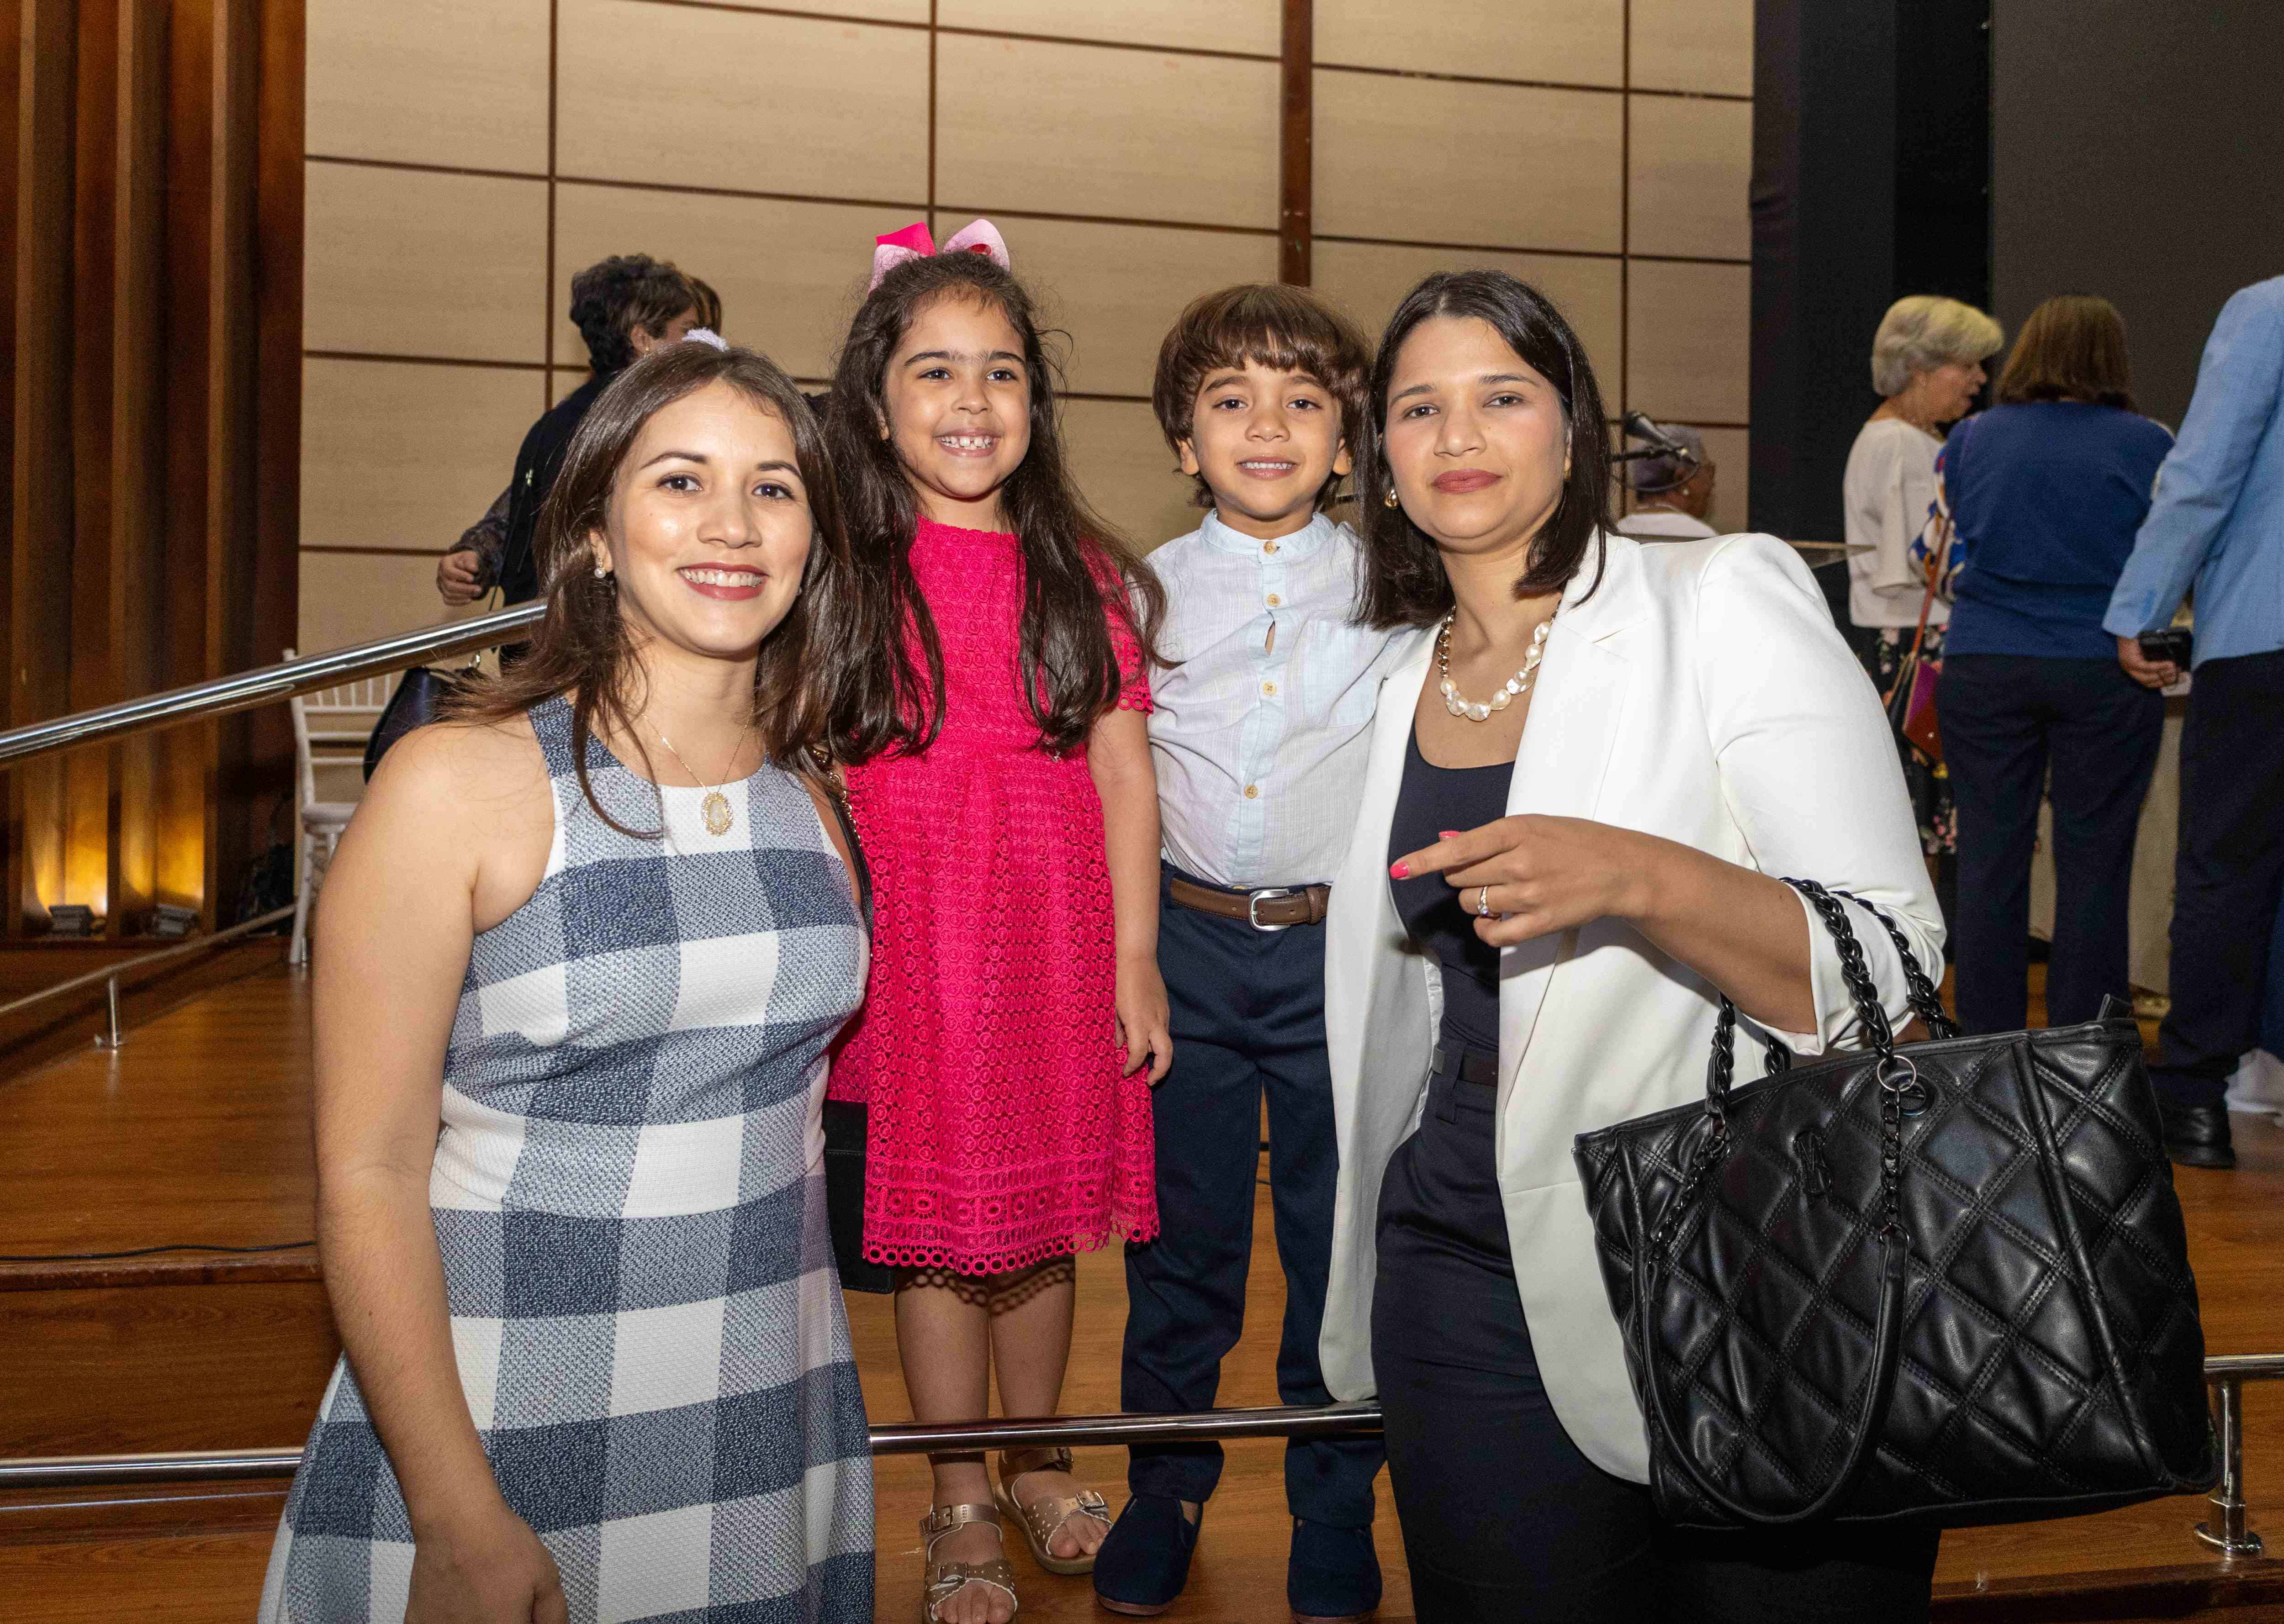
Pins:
x,y
1477,442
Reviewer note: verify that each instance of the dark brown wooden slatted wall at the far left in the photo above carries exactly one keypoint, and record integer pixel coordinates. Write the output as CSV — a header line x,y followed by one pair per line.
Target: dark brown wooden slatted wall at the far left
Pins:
x,y
154,403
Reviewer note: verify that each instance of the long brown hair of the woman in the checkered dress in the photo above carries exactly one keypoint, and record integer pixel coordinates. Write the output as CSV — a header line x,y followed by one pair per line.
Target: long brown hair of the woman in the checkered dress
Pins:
x,y
584,645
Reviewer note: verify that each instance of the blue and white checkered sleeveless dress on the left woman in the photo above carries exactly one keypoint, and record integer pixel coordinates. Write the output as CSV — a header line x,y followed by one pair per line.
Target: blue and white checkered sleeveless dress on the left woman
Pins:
x,y
629,1200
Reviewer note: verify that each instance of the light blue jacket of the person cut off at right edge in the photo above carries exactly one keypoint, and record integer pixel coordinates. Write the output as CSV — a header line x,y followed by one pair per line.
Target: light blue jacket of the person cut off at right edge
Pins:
x,y
2219,513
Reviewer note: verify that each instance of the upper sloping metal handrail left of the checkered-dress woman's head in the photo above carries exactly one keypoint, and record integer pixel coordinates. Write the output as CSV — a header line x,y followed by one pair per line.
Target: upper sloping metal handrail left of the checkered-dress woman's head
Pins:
x,y
264,686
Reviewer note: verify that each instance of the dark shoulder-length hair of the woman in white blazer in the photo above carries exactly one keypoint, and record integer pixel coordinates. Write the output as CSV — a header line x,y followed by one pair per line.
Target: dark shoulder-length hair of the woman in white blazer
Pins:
x,y
1404,574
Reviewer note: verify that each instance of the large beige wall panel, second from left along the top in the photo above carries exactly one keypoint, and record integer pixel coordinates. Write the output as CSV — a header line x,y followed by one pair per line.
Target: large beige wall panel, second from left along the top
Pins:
x,y
741,102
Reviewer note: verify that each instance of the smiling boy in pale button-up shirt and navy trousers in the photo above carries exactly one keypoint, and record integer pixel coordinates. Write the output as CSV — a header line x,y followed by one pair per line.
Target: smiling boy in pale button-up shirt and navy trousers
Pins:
x,y
1262,727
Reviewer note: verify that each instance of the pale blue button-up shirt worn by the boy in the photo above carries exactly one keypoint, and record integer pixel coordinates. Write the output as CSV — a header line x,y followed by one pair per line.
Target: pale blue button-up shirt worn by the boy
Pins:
x,y
1264,707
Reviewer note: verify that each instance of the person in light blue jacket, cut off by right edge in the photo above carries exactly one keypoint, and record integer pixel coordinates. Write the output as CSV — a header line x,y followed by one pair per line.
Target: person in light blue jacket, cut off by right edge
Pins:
x,y
2217,526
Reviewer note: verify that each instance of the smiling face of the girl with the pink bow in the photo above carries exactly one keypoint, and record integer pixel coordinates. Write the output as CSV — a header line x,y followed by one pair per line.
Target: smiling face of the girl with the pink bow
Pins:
x,y
958,399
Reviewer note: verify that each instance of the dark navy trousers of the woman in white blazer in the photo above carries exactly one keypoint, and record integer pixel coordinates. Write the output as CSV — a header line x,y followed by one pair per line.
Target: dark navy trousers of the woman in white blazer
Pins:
x,y
1504,1520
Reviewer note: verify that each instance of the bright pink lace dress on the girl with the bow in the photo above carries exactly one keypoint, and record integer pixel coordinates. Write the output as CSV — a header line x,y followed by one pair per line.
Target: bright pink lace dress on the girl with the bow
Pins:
x,y
999,1127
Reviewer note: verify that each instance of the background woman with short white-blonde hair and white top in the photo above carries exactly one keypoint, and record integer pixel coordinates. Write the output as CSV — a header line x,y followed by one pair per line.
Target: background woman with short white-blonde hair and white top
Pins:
x,y
1927,362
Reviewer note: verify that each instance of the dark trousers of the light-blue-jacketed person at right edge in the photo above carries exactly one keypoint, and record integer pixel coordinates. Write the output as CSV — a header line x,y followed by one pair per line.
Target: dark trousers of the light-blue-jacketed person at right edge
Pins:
x,y
2228,876
